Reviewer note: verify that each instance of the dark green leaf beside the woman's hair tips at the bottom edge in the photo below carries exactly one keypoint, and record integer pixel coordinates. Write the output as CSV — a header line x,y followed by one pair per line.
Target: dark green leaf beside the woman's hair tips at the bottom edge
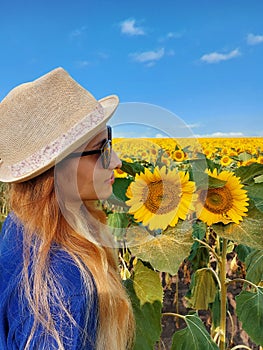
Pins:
x,y
147,319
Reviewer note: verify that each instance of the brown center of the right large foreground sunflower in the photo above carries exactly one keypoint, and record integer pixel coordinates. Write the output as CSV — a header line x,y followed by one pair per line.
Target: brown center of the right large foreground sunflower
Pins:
x,y
219,200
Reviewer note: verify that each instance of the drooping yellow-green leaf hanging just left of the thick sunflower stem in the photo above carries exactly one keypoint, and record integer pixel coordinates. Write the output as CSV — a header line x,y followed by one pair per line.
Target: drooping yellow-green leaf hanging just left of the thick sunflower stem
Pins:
x,y
203,289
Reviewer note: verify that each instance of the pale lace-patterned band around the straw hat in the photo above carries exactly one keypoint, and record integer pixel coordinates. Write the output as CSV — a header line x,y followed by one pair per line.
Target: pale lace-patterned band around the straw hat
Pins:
x,y
50,152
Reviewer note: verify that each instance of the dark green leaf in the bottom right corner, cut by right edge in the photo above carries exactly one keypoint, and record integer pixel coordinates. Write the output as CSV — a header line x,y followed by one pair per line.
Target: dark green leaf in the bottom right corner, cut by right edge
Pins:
x,y
250,313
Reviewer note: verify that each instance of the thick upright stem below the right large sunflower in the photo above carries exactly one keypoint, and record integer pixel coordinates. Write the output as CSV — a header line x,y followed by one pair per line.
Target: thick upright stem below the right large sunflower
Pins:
x,y
223,306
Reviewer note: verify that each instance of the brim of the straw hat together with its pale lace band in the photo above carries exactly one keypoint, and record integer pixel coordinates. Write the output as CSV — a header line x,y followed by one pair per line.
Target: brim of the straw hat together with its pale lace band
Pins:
x,y
46,158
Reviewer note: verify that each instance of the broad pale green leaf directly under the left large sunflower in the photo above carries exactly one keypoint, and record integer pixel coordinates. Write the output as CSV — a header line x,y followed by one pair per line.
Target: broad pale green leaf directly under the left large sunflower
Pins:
x,y
164,252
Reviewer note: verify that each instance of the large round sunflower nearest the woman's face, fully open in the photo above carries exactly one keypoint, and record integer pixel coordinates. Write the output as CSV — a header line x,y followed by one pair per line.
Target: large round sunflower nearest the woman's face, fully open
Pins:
x,y
160,198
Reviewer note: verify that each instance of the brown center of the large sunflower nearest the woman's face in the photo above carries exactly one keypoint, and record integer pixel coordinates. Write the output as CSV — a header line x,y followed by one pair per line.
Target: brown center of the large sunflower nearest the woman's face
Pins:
x,y
161,196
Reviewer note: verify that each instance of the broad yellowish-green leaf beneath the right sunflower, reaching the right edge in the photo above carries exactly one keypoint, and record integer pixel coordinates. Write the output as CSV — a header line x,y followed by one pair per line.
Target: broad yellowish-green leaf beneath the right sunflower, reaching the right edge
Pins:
x,y
248,232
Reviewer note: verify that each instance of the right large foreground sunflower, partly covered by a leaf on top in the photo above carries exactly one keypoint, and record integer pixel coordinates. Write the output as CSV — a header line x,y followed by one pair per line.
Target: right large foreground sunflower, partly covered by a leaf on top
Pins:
x,y
223,204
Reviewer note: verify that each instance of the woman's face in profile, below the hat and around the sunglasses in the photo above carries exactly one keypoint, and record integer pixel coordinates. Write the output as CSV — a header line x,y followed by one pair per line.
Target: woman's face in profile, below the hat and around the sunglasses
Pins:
x,y
87,173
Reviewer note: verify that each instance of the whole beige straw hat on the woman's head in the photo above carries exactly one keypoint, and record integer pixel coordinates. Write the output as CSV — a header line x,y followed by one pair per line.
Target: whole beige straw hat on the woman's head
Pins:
x,y
44,120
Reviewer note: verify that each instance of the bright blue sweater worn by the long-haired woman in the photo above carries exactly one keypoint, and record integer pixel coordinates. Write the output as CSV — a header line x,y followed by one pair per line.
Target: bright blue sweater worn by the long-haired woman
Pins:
x,y
16,318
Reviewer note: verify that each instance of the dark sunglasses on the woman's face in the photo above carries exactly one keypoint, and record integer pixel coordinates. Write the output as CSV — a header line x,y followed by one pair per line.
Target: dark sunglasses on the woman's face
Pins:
x,y
105,151
